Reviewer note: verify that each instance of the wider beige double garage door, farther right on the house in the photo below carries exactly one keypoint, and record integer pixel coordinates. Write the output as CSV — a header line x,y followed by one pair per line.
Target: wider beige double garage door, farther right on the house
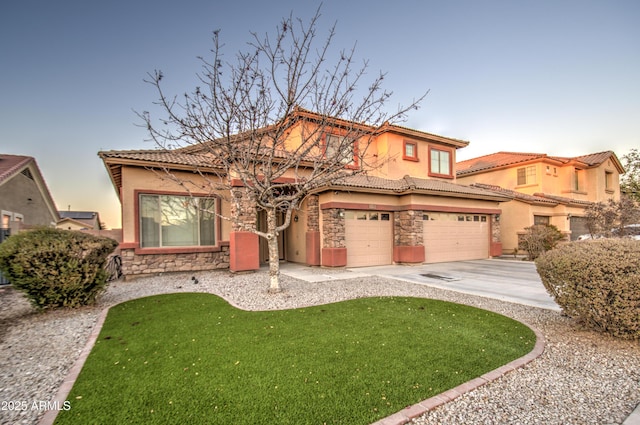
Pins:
x,y
455,237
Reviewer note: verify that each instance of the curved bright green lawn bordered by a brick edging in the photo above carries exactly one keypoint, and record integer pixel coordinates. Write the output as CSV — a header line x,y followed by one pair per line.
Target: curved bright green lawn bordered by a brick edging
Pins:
x,y
193,358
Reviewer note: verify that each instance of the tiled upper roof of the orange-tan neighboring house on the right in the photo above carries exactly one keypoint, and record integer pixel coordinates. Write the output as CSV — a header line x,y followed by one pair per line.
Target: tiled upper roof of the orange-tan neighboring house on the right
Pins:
x,y
508,159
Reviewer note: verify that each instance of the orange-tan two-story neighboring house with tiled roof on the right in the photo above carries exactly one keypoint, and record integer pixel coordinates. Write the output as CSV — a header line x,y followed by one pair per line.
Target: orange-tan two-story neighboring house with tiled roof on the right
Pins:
x,y
544,189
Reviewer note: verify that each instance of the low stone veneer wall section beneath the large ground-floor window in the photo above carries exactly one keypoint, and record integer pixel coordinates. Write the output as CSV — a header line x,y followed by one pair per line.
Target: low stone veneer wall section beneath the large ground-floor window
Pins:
x,y
134,264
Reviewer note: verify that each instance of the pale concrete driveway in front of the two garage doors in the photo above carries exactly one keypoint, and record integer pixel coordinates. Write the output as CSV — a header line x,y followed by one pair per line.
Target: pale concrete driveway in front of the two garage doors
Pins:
x,y
507,280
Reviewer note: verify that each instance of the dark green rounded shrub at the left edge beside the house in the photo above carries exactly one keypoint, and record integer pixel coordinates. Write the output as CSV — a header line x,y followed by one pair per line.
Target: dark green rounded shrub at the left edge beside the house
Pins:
x,y
56,268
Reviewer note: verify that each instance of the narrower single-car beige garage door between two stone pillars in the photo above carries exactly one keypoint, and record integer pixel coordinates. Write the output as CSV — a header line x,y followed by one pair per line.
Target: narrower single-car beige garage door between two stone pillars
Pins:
x,y
368,238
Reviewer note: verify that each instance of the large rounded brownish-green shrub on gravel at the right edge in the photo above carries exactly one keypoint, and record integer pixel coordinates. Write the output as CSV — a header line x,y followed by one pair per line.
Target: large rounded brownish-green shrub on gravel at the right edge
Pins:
x,y
596,282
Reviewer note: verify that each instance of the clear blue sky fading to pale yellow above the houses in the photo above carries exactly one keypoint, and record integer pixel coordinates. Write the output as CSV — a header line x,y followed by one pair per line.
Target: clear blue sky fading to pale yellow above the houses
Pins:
x,y
560,77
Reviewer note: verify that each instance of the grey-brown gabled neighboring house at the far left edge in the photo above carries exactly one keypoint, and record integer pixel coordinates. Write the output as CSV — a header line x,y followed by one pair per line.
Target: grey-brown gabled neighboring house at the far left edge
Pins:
x,y
25,200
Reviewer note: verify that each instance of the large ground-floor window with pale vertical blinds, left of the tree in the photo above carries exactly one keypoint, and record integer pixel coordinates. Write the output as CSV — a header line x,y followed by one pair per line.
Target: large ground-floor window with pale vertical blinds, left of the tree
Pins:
x,y
172,221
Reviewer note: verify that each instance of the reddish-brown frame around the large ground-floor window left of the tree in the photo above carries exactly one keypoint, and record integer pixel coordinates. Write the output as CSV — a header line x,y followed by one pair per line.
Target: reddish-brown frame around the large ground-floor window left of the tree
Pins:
x,y
139,249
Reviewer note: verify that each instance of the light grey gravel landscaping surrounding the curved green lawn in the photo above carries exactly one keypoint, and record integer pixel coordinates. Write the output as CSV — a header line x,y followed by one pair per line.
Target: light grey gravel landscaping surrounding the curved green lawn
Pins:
x,y
581,378
